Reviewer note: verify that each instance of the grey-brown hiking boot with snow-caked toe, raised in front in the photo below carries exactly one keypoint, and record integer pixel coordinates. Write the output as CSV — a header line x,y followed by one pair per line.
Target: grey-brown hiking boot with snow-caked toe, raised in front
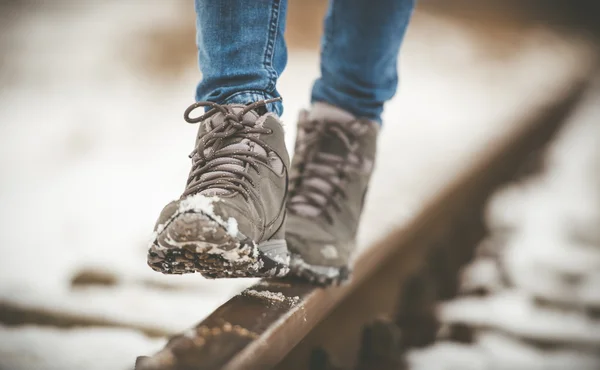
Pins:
x,y
229,222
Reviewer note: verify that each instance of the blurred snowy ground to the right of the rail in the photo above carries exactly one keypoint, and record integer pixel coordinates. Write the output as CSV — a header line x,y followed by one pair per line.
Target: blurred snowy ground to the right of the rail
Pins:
x,y
544,273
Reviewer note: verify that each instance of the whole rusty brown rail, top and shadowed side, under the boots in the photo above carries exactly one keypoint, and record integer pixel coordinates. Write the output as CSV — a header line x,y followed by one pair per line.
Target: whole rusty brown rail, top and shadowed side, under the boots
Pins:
x,y
279,323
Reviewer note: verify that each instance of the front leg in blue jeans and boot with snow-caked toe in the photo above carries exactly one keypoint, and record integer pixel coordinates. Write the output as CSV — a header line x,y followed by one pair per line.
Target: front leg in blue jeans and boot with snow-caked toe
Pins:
x,y
229,221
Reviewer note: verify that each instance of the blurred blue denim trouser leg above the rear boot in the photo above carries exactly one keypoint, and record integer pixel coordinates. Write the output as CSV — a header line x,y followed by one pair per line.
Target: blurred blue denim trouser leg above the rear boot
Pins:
x,y
359,54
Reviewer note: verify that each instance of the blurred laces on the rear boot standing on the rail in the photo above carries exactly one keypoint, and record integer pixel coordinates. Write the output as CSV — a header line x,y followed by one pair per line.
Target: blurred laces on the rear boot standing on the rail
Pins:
x,y
321,175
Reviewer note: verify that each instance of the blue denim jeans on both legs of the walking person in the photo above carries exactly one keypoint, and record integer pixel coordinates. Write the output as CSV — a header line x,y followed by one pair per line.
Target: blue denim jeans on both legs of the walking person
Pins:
x,y
242,52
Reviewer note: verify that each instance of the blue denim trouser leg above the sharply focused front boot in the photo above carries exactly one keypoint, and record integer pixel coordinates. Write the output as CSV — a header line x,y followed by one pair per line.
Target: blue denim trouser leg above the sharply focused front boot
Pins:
x,y
241,50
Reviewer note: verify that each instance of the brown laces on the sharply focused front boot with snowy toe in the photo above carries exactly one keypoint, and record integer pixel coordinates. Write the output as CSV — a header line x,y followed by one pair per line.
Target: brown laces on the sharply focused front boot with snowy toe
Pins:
x,y
217,162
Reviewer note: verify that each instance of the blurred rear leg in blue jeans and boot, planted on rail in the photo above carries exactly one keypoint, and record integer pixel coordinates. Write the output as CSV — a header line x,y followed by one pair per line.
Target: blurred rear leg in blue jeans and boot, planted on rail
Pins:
x,y
336,142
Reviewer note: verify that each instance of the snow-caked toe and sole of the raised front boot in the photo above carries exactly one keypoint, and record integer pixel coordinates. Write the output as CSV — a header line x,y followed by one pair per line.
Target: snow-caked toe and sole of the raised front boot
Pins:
x,y
194,242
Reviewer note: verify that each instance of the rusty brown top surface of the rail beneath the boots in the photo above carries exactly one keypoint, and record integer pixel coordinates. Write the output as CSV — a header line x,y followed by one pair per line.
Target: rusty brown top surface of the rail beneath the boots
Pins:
x,y
257,328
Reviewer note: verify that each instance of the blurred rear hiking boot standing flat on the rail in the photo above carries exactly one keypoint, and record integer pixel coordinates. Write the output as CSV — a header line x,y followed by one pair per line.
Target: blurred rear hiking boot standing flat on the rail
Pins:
x,y
331,168
